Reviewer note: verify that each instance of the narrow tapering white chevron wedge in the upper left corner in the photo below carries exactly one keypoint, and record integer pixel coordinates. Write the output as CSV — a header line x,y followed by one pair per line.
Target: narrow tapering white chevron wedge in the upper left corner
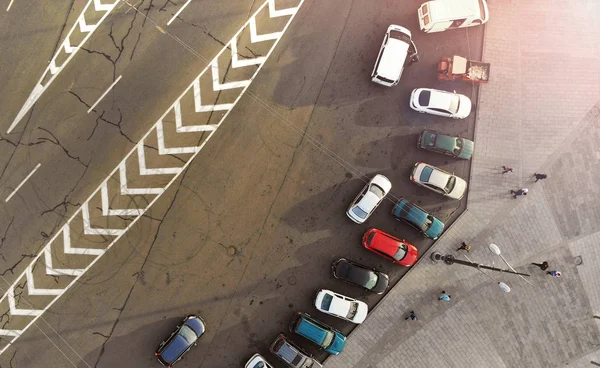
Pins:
x,y
53,69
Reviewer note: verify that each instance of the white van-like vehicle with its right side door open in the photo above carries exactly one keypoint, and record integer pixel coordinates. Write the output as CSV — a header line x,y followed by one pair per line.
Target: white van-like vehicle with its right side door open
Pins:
x,y
396,51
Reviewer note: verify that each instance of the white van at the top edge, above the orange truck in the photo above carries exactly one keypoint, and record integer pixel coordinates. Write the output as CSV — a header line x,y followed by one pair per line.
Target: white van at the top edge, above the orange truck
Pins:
x,y
440,15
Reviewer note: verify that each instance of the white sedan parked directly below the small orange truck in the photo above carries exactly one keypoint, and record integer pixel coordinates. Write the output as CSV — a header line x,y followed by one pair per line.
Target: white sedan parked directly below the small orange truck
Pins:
x,y
442,103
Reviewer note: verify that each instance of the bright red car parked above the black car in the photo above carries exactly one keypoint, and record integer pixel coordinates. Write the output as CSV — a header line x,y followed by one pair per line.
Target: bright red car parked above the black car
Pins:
x,y
386,245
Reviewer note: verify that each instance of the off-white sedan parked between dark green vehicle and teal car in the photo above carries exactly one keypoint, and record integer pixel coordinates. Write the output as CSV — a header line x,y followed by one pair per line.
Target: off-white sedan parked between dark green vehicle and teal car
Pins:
x,y
439,180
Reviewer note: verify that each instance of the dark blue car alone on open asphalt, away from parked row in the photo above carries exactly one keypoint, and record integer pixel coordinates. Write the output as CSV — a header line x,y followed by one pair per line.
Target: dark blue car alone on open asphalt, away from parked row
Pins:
x,y
181,341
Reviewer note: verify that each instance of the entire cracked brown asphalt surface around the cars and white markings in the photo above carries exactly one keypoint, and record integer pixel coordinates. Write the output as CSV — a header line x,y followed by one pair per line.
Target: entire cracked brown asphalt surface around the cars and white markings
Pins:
x,y
246,235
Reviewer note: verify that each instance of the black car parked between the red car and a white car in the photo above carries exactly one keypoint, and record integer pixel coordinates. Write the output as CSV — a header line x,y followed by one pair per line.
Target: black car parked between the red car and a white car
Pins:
x,y
360,275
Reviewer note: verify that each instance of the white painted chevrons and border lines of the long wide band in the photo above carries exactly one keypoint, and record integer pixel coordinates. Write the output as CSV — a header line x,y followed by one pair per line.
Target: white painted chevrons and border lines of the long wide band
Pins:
x,y
103,191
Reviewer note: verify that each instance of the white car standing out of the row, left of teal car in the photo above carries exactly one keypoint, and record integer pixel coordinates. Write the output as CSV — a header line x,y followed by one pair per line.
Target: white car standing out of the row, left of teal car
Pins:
x,y
369,198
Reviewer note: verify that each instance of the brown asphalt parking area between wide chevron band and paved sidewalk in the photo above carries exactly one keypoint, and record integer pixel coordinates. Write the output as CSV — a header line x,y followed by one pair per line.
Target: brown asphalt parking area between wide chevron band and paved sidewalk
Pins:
x,y
247,236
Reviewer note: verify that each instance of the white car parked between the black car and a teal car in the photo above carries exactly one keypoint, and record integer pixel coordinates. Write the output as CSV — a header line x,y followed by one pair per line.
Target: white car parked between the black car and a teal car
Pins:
x,y
341,306
